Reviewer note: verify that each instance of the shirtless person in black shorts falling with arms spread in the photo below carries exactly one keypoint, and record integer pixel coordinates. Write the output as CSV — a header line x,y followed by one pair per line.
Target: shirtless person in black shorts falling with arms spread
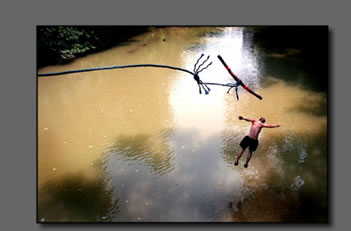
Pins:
x,y
251,140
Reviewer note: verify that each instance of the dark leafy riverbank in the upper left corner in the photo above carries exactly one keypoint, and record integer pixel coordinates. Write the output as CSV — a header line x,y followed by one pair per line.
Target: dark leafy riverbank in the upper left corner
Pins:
x,y
62,44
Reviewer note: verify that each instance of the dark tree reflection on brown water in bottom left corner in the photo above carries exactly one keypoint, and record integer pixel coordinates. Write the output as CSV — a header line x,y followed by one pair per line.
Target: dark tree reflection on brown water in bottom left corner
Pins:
x,y
77,198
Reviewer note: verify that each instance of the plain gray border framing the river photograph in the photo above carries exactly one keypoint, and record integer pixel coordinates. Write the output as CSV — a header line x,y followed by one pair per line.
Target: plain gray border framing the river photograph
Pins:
x,y
18,89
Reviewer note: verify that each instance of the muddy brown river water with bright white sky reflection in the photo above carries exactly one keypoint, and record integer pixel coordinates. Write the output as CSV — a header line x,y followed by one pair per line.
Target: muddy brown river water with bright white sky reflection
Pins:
x,y
142,145
